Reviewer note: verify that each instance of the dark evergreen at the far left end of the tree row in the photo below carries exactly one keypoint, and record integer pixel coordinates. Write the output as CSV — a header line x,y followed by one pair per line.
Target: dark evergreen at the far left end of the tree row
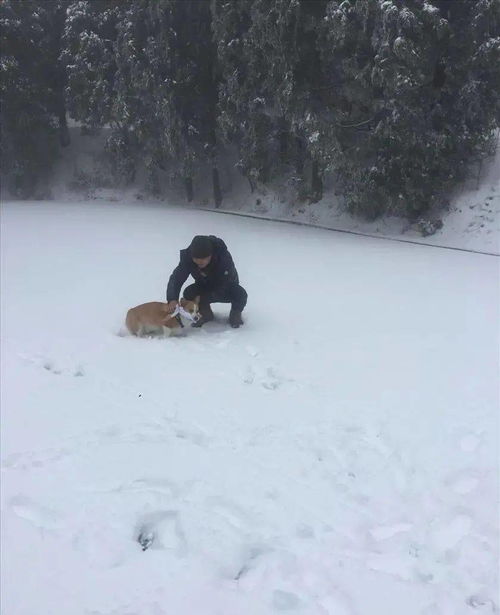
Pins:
x,y
31,90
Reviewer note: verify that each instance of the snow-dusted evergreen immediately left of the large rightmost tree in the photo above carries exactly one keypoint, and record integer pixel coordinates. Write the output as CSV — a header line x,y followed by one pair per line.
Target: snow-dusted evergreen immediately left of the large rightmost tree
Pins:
x,y
266,55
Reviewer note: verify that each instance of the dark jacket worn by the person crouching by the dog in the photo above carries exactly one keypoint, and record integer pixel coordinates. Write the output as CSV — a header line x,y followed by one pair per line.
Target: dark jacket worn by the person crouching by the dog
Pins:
x,y
218,274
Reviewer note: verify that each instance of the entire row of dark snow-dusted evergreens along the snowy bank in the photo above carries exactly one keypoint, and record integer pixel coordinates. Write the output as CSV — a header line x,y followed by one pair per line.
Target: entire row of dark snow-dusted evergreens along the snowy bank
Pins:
x,y
393,97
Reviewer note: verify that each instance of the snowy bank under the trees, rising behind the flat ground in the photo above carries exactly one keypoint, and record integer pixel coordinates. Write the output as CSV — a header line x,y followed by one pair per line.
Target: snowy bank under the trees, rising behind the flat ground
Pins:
x,y
472,220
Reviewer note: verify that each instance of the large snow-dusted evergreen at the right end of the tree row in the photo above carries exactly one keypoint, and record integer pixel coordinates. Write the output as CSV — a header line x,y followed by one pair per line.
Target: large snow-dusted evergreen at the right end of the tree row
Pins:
x,y
409,73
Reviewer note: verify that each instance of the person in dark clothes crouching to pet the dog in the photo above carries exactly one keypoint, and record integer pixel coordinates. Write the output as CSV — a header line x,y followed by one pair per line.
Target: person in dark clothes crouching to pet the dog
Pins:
x,y
208,260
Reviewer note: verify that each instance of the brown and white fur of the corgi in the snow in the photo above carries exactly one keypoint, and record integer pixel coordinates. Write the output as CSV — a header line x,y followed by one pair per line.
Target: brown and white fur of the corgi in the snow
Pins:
x,y
152,318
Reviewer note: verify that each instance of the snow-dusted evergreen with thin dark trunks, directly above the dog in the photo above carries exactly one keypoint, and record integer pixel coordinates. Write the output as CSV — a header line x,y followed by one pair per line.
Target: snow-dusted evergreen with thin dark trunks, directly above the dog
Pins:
x,y
168,84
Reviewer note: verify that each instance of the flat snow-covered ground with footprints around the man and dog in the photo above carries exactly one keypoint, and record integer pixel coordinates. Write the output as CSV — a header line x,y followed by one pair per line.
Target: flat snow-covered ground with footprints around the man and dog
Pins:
x,y
338,455
